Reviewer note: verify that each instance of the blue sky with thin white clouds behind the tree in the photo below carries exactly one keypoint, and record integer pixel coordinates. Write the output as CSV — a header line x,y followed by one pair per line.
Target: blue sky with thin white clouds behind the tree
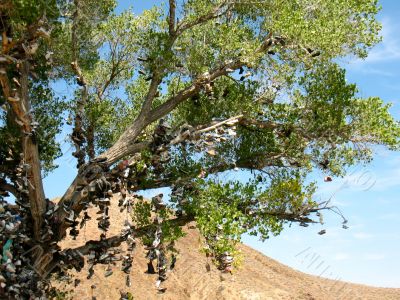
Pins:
x,y
369,251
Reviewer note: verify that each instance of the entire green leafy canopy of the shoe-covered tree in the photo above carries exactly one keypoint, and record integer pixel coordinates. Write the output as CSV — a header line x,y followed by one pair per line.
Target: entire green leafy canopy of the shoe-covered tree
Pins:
x,y
301,112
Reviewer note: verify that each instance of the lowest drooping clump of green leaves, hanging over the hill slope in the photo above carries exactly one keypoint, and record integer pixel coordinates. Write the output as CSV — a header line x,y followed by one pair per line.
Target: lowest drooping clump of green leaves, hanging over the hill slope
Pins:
x,y
224,211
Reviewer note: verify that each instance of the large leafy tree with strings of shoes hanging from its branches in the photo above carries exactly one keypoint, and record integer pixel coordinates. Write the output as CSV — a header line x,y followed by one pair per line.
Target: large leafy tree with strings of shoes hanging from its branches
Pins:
x,y
174,97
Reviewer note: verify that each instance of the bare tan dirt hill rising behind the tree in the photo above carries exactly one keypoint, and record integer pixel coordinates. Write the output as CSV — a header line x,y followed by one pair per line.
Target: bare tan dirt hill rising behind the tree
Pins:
x,y
259,277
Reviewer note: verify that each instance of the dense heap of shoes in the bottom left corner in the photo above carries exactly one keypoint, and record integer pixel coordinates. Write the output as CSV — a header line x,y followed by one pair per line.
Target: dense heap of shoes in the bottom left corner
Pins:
x,y
17,279
